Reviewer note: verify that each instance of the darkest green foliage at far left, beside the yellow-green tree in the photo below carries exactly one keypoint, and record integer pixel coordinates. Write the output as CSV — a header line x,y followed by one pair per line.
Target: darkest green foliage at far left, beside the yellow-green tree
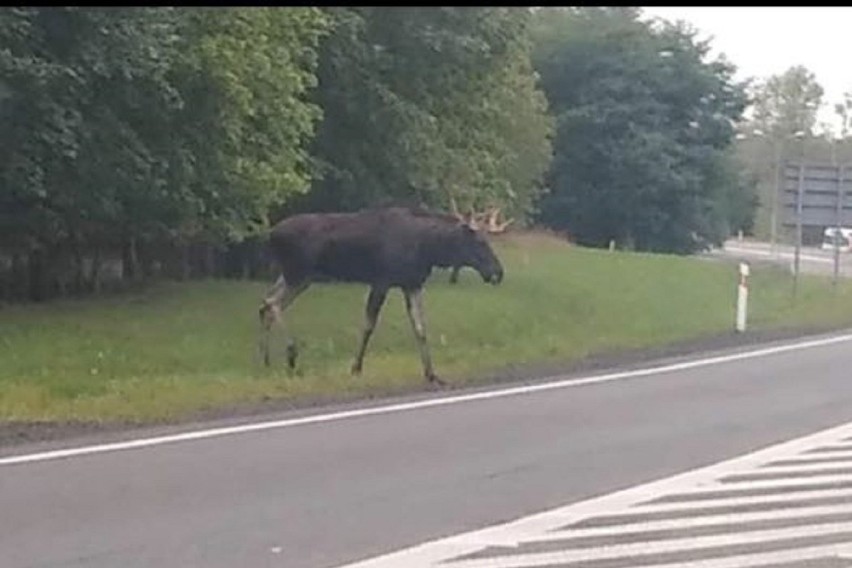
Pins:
x,y
85,91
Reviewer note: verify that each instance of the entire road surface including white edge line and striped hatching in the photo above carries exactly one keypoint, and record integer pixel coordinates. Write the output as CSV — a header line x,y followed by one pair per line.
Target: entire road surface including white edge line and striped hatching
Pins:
x,y
328,490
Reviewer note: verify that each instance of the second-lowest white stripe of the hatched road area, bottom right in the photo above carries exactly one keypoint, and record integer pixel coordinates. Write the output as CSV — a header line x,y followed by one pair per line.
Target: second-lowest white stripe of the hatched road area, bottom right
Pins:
x,y
622,551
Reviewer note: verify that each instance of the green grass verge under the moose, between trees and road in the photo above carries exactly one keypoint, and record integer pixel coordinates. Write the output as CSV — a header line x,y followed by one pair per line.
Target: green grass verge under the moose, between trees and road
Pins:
x,y
179,348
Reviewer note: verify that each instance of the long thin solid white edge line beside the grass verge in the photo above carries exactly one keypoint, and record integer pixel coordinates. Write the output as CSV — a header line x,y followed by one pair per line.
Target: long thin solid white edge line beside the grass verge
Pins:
x,y
442,401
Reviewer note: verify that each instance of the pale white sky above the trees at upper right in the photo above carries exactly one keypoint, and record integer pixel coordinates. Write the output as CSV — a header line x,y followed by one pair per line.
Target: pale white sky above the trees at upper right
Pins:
x,y
767,41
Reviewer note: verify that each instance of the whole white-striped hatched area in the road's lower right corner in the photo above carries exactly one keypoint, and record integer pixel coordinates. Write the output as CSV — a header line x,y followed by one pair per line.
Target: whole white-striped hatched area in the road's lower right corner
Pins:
x,y
784,504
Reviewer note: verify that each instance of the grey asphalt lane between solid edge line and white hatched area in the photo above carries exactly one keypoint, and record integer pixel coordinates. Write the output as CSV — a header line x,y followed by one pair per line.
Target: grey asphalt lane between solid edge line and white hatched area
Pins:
x,y
329,493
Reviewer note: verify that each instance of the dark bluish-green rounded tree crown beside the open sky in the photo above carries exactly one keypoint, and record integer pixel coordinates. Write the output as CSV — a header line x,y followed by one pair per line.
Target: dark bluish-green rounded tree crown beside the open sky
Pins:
x,y
643,124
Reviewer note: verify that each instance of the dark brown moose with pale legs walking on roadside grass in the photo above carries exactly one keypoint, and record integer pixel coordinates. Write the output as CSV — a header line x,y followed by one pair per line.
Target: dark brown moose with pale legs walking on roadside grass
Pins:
x,y
383,247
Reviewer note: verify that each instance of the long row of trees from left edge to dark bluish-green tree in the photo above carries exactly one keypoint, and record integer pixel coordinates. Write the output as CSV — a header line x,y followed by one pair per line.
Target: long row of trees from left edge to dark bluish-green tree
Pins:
x,y
157,134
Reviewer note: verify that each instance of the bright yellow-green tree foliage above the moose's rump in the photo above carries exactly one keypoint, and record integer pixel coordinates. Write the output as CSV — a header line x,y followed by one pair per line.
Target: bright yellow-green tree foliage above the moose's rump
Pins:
x,y
244,74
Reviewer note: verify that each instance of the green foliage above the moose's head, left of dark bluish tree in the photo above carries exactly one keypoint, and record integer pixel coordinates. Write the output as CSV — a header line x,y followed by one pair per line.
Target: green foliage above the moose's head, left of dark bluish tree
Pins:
x,y
429,103
